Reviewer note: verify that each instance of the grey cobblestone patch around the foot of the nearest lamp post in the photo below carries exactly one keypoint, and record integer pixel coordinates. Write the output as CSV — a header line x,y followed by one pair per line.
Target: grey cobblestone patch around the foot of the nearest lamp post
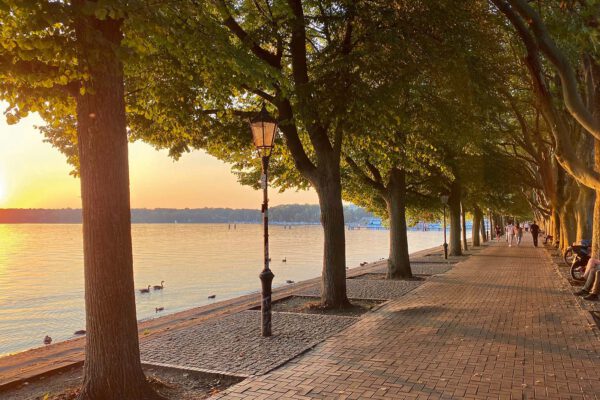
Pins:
x,y
233,344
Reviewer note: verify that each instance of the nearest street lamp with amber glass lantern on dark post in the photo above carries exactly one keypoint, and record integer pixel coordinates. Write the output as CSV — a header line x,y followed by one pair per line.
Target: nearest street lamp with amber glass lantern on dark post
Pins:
x,y
263,128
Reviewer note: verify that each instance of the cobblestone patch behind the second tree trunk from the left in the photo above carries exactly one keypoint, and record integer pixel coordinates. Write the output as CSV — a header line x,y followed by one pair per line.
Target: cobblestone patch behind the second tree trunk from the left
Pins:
x,y
371,289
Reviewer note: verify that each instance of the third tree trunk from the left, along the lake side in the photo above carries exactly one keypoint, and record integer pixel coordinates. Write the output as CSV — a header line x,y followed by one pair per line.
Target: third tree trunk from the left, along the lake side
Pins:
x,y
395,199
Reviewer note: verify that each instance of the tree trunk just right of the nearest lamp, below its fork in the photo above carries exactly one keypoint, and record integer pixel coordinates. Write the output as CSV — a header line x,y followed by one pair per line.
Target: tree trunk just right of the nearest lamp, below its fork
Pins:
x,y
333,278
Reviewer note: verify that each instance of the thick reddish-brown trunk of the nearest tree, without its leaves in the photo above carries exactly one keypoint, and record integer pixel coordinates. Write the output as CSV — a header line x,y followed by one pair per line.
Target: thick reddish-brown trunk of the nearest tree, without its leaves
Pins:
x,y
112,368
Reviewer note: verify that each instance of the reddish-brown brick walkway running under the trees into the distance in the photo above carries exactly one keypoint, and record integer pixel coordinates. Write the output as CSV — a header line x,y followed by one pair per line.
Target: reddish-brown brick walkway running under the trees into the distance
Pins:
x,y
503,324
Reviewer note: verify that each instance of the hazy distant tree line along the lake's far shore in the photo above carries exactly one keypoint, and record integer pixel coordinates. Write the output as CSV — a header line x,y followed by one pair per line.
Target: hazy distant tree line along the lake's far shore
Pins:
x,y
289,213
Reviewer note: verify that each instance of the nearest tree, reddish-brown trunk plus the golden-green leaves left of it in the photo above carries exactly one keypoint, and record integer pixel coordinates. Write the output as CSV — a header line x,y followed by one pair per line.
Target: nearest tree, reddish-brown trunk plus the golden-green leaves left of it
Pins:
x,y
62,59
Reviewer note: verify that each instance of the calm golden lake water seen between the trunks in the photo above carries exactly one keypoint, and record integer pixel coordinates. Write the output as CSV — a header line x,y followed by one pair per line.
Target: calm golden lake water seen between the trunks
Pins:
x,y
41,269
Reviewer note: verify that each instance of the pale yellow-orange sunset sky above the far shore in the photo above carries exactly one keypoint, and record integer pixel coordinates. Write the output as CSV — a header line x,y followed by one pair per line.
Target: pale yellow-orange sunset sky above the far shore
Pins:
x,y
35,175
